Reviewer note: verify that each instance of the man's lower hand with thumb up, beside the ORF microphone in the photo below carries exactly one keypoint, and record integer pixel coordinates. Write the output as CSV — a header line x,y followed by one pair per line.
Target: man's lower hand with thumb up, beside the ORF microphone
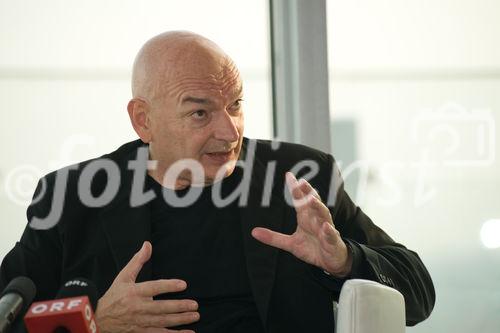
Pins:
x,y
128,306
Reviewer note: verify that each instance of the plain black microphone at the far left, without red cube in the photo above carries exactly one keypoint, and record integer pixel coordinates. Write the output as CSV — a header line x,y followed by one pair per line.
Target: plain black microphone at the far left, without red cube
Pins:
x,y
15,299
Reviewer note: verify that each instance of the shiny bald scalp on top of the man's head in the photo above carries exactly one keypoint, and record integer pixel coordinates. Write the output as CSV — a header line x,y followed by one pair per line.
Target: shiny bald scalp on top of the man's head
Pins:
x,y
161,58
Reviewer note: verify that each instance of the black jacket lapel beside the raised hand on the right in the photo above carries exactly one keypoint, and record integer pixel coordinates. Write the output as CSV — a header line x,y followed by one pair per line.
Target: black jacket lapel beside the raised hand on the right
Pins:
x,y
260,258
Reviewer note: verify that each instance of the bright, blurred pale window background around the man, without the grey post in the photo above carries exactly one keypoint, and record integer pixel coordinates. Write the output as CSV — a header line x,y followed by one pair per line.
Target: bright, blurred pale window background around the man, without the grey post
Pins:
x,y
414,99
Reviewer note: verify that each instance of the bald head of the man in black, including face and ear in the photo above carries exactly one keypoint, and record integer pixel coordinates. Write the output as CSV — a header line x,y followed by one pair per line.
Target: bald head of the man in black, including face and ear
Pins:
x,y
187,103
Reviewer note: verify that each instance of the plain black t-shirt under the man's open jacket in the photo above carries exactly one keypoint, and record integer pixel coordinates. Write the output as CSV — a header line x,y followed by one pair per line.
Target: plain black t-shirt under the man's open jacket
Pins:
x,y
203,245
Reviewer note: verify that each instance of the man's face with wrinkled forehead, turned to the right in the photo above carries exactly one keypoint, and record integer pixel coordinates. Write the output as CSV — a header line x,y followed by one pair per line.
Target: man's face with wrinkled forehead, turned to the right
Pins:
x,y
198,115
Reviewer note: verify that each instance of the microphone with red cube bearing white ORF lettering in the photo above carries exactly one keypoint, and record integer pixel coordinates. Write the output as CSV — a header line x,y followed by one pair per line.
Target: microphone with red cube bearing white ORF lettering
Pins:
x,y
70,312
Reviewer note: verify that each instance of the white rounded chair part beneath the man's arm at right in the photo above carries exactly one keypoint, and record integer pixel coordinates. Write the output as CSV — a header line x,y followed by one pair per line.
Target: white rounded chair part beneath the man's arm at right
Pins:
x,y
369,307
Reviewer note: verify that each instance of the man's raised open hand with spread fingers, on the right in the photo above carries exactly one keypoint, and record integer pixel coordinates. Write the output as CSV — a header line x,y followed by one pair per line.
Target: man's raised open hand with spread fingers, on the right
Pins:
x,y
315,241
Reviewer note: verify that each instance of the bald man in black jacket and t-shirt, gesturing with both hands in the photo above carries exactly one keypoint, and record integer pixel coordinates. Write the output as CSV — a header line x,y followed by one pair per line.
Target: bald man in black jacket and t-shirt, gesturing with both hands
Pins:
x,y
206,230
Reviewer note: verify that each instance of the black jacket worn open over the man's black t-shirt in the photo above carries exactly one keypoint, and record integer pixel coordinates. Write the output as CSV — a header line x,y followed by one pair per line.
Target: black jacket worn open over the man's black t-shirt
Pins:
x,y
291,296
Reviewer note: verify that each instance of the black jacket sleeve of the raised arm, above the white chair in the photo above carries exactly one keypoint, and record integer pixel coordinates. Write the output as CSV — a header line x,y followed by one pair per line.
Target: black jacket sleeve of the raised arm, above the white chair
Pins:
x,y
376,256
